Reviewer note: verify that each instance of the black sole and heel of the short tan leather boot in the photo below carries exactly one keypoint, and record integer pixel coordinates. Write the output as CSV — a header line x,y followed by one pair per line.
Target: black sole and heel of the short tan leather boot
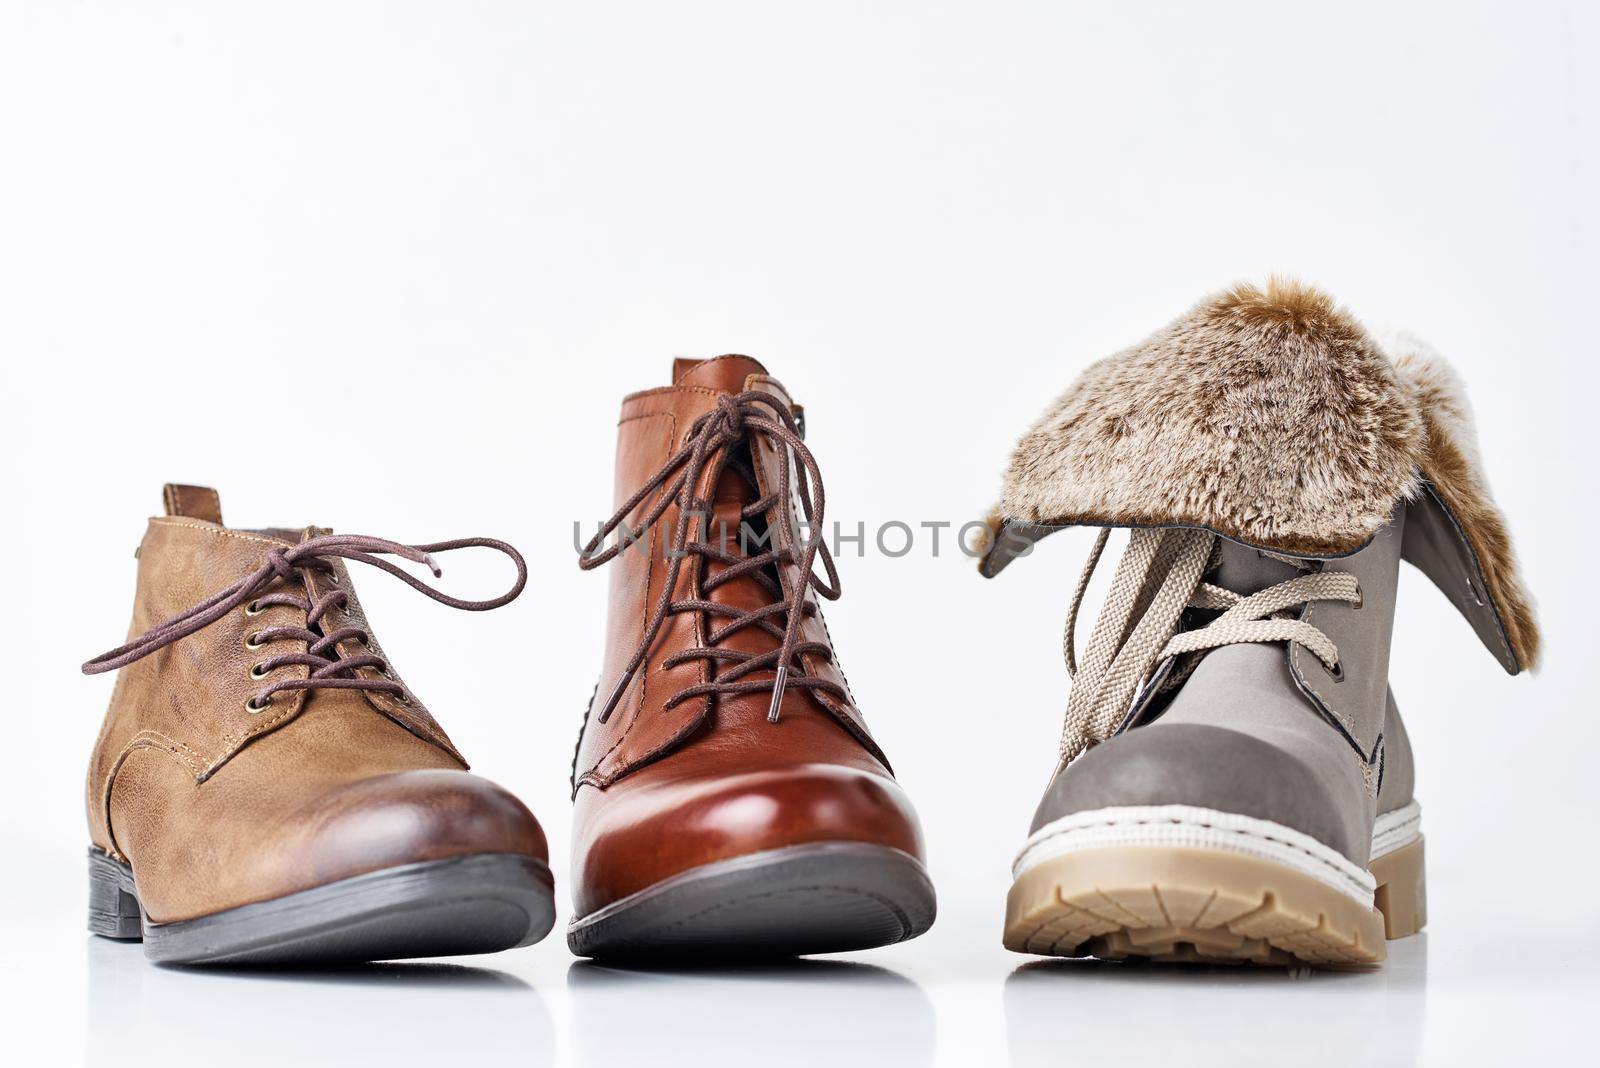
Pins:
x,y
462,906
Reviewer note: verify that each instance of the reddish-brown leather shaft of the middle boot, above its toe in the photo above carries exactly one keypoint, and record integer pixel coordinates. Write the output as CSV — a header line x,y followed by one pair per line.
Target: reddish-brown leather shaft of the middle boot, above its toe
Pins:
x,y
641,715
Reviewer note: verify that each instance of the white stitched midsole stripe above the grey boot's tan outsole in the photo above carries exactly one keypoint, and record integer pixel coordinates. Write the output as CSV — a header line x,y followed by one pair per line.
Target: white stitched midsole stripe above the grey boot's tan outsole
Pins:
x,y
1193,827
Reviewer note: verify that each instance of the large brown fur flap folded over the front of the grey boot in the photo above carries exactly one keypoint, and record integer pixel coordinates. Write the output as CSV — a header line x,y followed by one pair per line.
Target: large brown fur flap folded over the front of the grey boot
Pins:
x,y
1268,416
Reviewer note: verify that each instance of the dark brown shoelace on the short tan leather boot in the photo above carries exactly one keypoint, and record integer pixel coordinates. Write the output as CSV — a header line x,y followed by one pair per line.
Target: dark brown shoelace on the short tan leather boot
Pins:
x,y
329,669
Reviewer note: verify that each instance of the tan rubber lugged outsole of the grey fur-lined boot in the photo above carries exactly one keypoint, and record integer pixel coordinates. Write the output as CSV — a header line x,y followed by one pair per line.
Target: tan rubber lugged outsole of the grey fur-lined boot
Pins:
x,y
1183,904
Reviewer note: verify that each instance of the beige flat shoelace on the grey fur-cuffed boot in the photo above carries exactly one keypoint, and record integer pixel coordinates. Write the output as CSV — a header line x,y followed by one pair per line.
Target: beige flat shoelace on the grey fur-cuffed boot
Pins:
x,y
1159,576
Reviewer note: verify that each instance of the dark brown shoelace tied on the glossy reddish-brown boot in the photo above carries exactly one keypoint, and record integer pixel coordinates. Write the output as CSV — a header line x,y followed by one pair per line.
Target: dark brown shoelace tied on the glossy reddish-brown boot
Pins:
x,y
735,420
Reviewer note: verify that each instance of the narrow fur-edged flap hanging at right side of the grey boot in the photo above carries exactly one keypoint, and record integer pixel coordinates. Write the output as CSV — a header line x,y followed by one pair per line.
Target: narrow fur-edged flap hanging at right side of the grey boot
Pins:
x,y
1455,469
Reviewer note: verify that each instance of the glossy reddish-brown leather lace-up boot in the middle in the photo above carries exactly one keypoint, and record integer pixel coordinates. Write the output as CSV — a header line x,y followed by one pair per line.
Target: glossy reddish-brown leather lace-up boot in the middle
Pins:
x,y
729,795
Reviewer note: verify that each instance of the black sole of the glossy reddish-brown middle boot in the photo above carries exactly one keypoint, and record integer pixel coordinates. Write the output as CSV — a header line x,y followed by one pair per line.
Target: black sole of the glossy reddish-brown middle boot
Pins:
x,y
826,898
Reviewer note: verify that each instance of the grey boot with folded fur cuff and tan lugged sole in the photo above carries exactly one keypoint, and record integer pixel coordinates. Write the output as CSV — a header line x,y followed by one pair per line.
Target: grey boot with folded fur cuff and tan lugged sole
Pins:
x,y
1234,778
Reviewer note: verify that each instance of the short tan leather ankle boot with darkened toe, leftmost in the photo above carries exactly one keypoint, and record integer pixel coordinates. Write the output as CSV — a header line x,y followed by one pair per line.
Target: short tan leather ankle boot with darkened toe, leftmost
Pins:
x,y
266,789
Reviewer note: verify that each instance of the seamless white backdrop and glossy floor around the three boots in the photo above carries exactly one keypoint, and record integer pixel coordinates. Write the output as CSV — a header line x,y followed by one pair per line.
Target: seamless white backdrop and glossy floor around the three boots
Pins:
x,y
391,268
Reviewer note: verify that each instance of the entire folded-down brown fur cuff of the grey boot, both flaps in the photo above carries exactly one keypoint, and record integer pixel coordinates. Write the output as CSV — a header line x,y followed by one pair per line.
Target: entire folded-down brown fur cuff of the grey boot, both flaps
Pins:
x,y
1274,420
